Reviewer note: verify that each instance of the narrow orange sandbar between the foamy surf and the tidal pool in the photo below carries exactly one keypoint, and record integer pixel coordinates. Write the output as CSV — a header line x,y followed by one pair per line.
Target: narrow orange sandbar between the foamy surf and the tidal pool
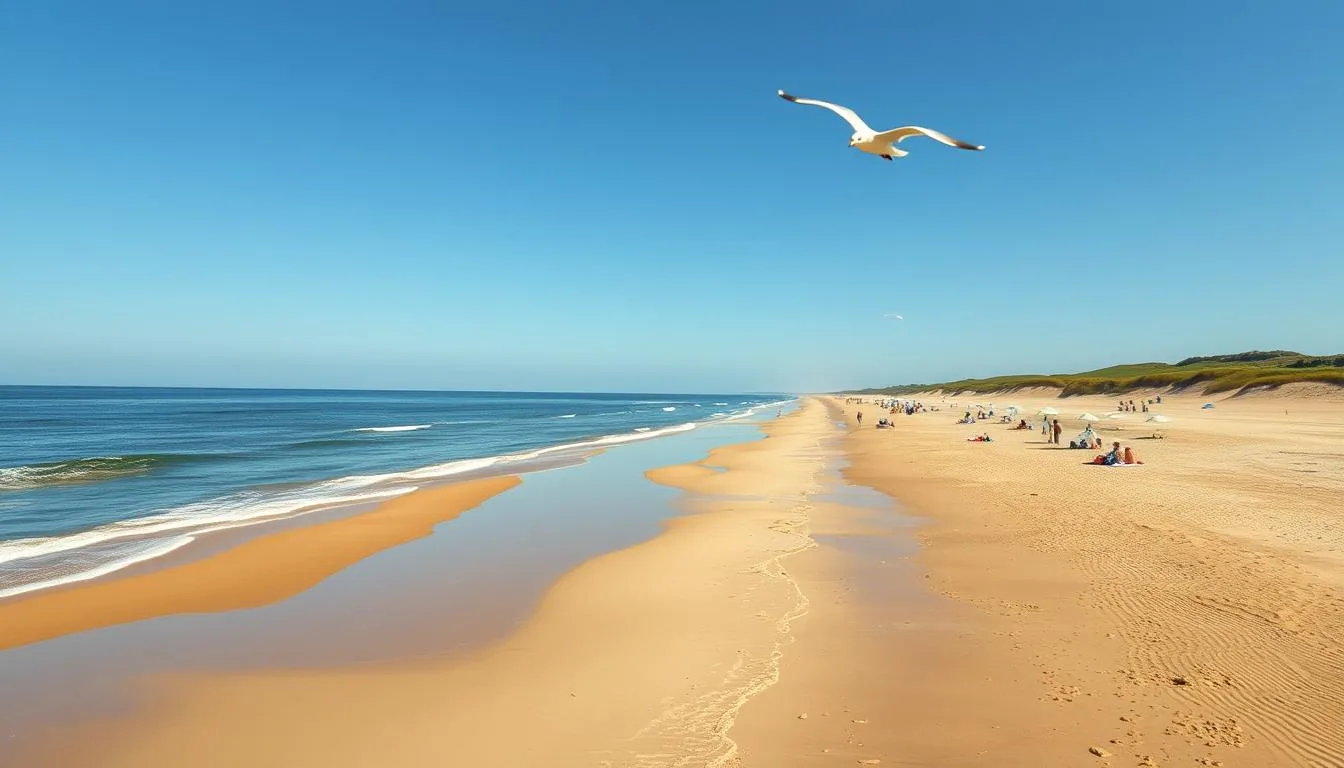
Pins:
x,y
259,572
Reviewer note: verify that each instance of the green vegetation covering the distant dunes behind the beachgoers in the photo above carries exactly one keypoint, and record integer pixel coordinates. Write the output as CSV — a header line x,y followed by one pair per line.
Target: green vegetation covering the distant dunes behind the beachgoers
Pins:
x,y
1212,375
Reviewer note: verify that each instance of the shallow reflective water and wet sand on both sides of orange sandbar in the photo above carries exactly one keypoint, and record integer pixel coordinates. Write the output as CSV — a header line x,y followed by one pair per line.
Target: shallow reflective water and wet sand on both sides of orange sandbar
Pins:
x,y
468,586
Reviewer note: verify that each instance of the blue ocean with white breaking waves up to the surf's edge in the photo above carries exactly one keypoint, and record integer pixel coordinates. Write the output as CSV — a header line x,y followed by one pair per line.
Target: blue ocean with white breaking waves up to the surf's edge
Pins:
x,y
93,479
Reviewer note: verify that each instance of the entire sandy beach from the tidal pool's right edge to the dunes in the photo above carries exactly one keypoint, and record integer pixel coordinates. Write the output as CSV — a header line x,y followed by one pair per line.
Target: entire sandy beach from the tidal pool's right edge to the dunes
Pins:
x,y
843,595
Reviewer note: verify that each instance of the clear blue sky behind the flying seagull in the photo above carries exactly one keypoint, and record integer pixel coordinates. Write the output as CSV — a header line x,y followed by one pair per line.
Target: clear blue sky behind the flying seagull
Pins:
x,y
611,197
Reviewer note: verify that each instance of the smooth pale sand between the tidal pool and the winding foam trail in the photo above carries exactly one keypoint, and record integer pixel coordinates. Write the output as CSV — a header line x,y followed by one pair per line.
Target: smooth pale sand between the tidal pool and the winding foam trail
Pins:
x,y
623,657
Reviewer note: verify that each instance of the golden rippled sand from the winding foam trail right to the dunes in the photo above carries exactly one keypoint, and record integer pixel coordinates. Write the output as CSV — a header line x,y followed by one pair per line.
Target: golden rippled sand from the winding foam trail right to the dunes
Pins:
x,y
1185,613
